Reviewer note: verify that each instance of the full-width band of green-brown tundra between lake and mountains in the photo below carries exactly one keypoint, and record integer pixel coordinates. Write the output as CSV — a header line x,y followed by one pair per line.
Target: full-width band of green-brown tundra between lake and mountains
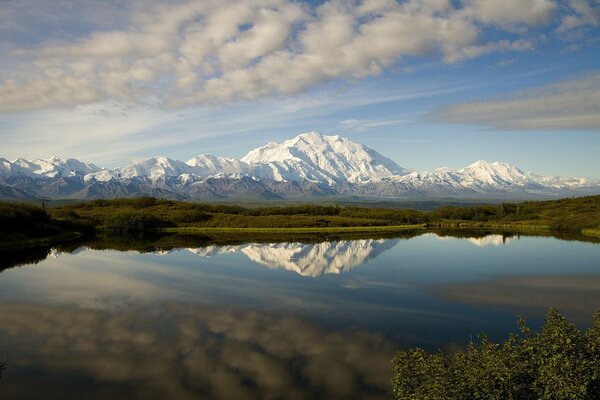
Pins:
x,y
22,223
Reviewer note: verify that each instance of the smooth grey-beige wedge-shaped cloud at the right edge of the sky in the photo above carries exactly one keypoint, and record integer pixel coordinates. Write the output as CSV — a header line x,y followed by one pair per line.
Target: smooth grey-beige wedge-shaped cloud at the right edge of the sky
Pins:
x,y
570,105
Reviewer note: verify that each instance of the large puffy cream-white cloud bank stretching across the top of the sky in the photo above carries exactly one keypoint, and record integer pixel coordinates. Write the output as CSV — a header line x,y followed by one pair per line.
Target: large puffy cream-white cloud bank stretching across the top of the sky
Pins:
x,y
211,52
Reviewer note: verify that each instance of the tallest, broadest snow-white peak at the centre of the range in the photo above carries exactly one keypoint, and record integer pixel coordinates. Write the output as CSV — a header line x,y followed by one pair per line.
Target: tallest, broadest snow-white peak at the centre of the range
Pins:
x,y
319,158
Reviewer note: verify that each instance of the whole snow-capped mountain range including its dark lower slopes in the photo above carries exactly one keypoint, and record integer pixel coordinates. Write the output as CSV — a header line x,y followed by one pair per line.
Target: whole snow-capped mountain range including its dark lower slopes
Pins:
x,y
309,166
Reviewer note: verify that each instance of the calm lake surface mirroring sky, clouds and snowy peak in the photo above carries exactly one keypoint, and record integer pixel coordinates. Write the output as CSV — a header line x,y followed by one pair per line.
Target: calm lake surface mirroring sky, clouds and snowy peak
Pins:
x,y
272,321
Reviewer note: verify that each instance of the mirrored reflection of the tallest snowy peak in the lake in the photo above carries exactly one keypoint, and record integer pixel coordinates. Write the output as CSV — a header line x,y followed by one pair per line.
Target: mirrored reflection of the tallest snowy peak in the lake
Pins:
x,y
307,259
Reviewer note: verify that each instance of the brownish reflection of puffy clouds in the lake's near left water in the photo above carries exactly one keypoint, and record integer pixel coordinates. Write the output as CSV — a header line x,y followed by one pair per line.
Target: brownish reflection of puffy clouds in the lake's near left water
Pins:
x,y
186,352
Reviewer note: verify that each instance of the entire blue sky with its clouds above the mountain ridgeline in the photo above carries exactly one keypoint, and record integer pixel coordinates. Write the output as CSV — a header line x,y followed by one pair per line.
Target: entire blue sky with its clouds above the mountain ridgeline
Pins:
x,y
427,83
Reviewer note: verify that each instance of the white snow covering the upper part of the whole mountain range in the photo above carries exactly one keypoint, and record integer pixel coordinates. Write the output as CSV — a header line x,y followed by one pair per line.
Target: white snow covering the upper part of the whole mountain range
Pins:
x,y
310,157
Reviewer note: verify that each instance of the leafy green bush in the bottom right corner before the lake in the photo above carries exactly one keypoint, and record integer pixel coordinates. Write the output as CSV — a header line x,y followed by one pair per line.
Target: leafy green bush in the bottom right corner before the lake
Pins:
x,y
560,362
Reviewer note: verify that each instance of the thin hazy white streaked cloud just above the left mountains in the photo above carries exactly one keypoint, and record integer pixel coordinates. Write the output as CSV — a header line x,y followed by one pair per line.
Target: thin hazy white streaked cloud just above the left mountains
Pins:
x,y
110,134
